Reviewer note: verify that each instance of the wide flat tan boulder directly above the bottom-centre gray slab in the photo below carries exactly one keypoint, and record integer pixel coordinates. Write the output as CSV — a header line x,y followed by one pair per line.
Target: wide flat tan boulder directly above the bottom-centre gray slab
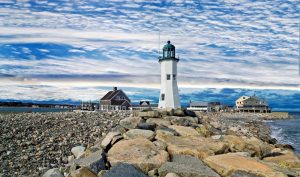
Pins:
x,y
193,145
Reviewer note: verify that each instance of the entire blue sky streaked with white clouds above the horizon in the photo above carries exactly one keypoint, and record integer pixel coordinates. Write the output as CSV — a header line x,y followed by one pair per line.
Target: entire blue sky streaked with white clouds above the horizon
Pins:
x,y
71,50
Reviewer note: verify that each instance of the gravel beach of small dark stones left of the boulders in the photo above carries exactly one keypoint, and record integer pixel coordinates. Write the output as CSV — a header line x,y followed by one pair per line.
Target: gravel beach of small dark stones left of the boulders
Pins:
x,y
30,143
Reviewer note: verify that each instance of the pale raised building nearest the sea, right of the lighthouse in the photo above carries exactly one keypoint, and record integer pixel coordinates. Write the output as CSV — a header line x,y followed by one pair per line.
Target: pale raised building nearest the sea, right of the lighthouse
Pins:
x,y
252,104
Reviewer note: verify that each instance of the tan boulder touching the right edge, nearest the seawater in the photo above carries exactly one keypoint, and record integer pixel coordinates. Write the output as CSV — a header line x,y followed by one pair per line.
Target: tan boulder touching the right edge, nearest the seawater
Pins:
x,y
286,158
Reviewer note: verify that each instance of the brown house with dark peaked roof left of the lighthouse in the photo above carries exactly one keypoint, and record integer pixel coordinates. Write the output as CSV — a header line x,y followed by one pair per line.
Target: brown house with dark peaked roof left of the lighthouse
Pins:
x,y
115,100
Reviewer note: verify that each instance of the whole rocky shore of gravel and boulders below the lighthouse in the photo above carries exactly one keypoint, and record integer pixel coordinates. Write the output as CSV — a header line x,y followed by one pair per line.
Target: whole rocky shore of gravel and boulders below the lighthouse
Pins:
x,y
151,143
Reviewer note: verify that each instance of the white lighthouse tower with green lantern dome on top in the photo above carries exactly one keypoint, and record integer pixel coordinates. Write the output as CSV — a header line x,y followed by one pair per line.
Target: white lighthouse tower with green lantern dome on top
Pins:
x,y
169,97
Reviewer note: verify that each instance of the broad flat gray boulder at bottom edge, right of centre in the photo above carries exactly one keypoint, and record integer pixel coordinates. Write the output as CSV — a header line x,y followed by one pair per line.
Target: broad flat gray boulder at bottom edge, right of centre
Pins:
x,y
186,166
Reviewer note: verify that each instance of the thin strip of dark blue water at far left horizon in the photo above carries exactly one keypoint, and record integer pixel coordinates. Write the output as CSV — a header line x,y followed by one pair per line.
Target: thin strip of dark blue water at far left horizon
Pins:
x,y
29,109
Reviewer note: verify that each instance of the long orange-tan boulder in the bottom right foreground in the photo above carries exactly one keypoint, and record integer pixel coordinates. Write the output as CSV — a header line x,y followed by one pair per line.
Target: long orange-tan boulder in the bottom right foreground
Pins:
x,y
227,164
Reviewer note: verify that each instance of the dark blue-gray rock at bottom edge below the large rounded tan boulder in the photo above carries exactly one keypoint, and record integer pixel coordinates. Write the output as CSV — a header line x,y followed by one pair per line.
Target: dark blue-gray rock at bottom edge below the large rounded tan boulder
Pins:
x,y
124,170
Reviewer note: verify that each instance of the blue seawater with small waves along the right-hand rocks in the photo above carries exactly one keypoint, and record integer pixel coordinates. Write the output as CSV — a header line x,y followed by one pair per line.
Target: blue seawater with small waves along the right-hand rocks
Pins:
x,y
287,131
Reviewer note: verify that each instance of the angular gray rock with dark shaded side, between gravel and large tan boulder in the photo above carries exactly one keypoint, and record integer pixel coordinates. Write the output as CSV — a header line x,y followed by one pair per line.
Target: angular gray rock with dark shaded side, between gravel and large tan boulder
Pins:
x,y
95,161
